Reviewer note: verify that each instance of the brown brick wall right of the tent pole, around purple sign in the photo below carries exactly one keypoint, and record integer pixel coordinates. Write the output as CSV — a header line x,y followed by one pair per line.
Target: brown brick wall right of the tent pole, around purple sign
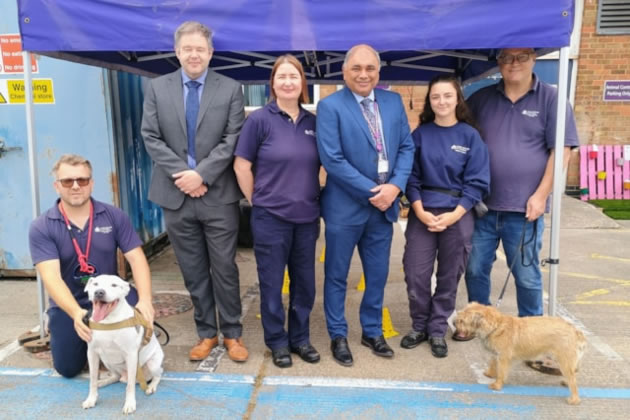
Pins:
x,y
602,57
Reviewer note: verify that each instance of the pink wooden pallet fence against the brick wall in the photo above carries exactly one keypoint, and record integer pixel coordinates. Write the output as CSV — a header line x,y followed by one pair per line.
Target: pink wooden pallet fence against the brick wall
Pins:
x,y
607,162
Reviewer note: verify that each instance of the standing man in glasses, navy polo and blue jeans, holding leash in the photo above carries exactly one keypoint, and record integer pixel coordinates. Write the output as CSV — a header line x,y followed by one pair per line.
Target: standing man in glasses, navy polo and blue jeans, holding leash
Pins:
x,y
517,117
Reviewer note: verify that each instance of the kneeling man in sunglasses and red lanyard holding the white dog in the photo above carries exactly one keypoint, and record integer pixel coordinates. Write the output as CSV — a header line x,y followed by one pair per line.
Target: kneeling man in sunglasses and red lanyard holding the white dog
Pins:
x,y
76,239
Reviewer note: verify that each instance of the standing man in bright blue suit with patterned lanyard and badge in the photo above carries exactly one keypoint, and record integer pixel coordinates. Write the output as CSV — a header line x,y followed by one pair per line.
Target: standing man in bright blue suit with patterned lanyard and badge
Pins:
x,y
366,148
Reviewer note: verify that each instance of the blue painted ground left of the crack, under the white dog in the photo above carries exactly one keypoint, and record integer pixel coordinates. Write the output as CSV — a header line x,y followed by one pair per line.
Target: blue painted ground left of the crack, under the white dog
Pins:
x,y
26,394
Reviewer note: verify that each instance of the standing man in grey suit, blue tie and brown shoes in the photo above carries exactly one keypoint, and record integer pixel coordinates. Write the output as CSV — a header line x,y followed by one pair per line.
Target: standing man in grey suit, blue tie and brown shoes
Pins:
x,y
191,121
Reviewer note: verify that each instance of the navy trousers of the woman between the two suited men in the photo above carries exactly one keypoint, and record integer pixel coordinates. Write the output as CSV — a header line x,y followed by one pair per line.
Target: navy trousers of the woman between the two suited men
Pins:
x,y
278,243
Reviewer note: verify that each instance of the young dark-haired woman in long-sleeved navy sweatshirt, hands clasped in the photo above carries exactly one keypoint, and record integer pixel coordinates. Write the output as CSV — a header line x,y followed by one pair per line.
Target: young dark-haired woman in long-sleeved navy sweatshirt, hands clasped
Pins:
x,y
450,175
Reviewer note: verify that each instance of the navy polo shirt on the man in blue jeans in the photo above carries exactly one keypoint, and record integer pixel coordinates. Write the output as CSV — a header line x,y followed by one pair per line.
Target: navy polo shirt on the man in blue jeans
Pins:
x,y
519,137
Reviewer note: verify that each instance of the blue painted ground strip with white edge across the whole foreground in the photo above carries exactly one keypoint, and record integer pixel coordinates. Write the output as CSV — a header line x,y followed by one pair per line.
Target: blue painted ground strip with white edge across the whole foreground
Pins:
x,y
25,393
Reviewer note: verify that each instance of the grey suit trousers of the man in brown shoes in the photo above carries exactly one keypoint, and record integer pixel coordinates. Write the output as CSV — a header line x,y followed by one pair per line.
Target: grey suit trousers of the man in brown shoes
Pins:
x,y
204,240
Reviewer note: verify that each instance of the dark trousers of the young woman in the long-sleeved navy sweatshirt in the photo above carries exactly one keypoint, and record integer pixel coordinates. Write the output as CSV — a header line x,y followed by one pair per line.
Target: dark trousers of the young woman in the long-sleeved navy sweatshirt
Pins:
x,y
451,247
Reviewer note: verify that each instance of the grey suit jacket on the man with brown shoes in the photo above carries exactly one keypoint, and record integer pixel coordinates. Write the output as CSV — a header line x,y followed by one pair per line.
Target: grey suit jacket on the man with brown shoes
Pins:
x,y
219,123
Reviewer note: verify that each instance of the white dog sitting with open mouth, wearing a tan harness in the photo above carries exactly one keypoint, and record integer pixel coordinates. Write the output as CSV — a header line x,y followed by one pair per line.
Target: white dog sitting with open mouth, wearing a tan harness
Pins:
x,y
119,349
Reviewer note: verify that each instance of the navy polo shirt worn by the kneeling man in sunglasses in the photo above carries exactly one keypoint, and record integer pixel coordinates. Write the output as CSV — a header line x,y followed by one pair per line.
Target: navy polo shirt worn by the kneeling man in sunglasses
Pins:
x,y
111,229
